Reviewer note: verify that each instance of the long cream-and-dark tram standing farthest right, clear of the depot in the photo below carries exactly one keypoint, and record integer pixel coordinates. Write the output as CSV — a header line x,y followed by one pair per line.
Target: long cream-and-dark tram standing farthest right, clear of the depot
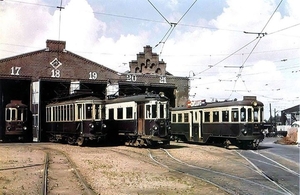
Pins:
x,y
238,123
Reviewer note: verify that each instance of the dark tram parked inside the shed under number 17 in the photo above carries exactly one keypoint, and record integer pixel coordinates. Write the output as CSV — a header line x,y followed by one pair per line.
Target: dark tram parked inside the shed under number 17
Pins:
x,y
17,122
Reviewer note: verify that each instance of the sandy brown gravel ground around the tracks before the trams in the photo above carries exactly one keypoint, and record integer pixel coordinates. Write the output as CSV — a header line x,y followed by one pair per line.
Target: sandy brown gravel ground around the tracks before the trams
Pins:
x,y
112,170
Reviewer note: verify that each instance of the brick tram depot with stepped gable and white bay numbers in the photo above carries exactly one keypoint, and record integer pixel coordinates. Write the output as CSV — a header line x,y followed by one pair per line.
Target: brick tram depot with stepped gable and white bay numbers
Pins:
x,y
40,76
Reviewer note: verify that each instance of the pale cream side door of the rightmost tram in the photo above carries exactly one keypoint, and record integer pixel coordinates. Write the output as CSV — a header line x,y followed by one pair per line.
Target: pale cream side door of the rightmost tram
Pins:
x,y
195,125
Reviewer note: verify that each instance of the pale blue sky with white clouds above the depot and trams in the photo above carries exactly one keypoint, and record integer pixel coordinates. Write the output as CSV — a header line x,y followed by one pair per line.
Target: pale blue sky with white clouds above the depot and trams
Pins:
x,y
228,48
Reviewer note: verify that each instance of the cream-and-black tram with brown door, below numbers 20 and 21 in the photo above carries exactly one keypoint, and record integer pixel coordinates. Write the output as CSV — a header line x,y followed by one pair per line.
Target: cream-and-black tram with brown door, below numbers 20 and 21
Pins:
x,y
140,120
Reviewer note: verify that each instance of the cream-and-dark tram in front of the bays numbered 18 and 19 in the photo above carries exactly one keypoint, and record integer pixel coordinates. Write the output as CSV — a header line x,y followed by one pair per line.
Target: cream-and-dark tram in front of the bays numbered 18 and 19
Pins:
x,y
76,121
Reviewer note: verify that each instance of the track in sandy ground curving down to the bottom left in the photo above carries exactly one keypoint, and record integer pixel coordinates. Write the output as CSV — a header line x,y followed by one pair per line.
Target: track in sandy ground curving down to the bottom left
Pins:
x,y
61,175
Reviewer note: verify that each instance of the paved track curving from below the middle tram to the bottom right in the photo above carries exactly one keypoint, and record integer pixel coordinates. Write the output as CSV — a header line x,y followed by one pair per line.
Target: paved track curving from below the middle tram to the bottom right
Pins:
x,y
229,183
